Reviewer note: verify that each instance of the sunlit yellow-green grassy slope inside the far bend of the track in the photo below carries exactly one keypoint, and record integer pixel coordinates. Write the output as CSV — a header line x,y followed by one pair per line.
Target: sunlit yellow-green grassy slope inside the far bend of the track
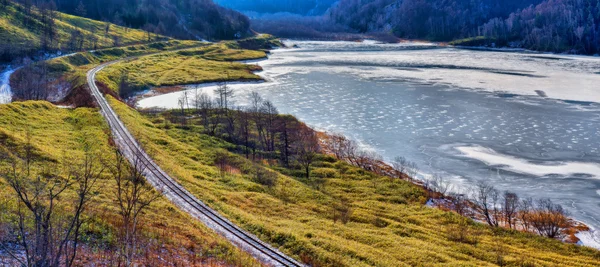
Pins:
x,y
205,64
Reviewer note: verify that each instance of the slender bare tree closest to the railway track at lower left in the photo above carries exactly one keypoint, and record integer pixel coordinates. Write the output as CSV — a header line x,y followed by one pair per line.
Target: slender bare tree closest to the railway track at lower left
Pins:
x,y
133,195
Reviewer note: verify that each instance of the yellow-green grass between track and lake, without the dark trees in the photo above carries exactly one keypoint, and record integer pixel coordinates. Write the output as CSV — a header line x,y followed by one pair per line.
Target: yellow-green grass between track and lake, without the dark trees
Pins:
x,y
390,226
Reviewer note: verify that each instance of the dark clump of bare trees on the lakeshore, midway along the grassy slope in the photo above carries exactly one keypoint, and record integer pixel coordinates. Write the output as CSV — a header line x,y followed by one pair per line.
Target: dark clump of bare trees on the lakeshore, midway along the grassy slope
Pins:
x,y
258,130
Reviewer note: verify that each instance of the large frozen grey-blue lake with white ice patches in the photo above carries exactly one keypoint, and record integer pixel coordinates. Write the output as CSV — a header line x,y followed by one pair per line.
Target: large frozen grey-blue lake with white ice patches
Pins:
x,y
529,123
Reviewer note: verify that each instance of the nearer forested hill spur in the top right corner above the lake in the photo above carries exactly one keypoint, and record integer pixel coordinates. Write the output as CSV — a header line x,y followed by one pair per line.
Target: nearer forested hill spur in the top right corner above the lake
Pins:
x,y
554,25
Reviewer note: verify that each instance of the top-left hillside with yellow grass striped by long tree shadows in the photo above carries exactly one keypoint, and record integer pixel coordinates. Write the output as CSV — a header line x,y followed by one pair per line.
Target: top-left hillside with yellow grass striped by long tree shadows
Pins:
x,y
31,31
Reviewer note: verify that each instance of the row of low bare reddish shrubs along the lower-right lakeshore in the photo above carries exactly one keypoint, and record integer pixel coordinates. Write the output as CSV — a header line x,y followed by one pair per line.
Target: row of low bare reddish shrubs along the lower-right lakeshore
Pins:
x,y
482,202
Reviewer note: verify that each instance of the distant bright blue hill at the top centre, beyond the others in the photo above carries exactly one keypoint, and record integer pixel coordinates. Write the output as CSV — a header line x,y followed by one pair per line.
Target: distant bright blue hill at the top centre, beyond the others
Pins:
x,y
301,7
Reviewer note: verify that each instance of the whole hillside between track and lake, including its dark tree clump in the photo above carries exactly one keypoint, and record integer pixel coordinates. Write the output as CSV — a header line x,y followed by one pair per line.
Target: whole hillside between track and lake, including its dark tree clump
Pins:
x,y
341,215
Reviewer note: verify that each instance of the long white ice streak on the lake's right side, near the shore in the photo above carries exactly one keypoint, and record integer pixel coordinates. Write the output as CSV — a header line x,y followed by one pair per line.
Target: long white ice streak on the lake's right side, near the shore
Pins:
x,y
519,165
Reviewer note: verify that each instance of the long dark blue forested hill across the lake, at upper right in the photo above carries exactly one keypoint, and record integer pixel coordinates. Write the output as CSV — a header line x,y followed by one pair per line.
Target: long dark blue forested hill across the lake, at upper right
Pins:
x,y
550,25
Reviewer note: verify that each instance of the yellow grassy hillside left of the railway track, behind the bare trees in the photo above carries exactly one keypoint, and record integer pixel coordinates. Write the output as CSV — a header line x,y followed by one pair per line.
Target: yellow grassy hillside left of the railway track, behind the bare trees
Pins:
x,y
63,137
